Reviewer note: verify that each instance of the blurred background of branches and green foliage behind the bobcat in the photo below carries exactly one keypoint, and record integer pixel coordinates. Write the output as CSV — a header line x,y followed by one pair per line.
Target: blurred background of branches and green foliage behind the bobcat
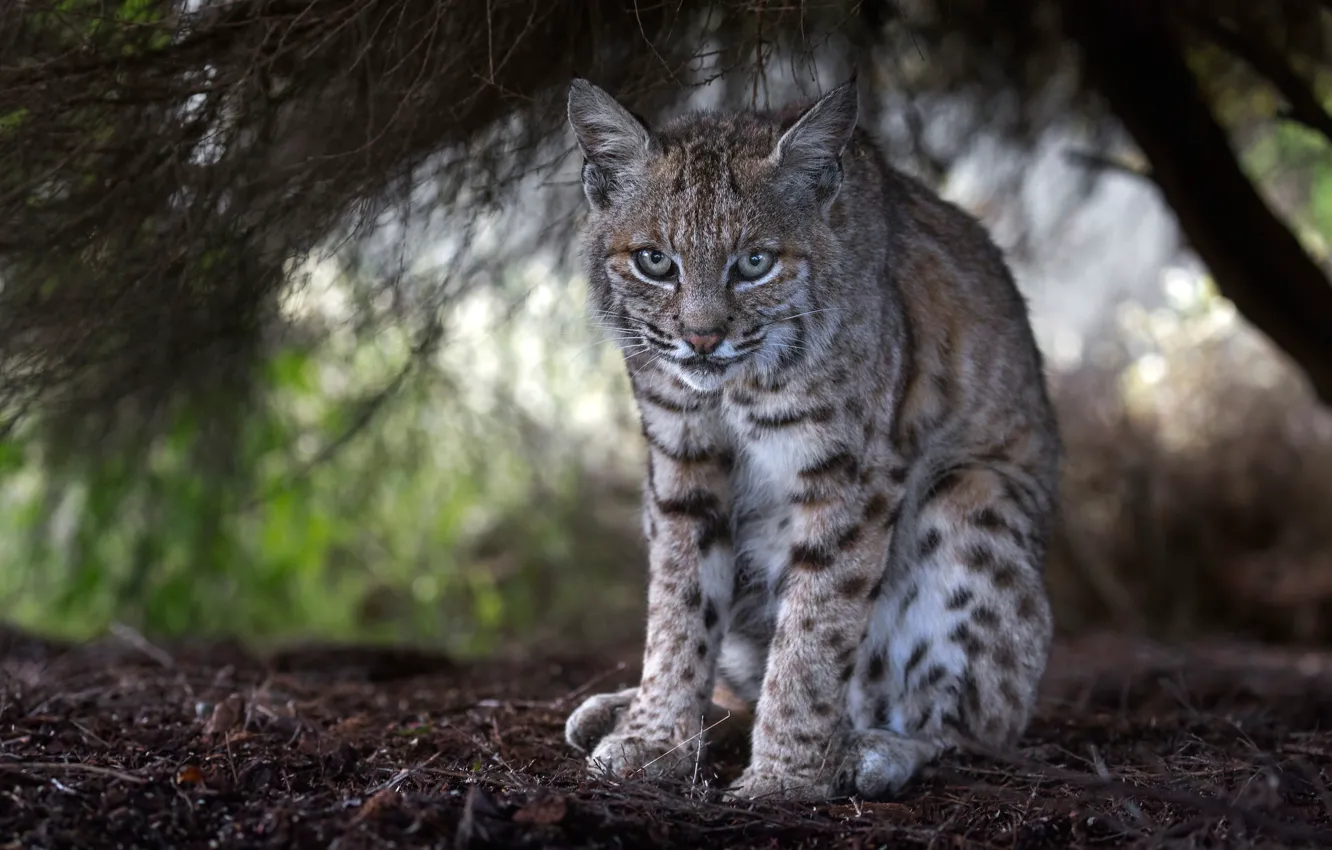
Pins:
x,y
294,347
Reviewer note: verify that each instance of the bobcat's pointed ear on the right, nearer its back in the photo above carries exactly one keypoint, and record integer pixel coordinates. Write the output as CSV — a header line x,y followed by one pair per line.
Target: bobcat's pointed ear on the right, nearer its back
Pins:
x,y
811,154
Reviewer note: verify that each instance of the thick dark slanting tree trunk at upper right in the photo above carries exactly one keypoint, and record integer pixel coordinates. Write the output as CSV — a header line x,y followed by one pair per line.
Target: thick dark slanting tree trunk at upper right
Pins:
x,y
1136,61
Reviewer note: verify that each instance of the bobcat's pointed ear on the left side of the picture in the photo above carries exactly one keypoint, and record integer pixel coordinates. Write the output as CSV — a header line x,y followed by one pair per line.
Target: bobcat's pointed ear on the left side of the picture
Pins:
x,y
613,142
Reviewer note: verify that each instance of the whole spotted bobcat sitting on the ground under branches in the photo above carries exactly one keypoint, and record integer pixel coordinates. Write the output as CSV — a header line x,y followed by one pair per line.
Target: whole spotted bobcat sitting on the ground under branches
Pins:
x,y
853,458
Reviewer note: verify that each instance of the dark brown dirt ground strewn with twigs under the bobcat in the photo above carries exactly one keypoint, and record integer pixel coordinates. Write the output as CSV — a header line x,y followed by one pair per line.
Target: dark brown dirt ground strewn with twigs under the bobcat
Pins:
x,y
130,745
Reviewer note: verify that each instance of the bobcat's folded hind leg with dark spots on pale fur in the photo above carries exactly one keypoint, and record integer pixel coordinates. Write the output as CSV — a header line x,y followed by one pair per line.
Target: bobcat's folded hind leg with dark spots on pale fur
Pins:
x,y
960,636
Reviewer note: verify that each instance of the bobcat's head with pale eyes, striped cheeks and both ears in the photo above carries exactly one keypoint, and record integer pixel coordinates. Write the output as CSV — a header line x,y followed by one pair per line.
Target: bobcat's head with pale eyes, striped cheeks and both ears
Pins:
x,y
707,232
